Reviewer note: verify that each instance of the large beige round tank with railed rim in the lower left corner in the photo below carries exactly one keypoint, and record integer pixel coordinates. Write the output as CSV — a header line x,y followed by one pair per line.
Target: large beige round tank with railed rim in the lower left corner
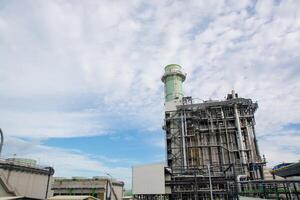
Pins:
x,y
23,178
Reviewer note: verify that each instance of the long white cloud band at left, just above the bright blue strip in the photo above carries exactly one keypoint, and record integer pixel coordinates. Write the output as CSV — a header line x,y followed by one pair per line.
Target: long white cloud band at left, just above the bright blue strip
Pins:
x,y
52,124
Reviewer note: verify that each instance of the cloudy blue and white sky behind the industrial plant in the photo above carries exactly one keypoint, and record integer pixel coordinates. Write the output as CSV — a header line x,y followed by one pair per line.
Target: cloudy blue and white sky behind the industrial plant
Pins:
x,y
80,86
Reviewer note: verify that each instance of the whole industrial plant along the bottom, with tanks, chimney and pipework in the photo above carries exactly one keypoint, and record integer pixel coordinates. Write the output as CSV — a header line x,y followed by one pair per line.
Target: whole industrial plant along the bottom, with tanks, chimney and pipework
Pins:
x,y
211,152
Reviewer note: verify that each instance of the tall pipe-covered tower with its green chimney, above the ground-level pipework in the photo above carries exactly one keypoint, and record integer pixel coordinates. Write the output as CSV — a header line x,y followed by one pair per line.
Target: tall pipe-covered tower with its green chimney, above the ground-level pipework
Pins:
x,y
220,134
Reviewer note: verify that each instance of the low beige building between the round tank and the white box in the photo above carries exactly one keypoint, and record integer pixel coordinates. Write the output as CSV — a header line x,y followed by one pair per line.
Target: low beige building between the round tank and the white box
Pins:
x,y
99,187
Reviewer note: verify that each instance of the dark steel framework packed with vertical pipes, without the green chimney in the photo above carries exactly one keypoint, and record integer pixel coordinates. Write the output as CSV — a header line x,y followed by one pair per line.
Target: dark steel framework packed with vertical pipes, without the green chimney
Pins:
x,y
219,134
